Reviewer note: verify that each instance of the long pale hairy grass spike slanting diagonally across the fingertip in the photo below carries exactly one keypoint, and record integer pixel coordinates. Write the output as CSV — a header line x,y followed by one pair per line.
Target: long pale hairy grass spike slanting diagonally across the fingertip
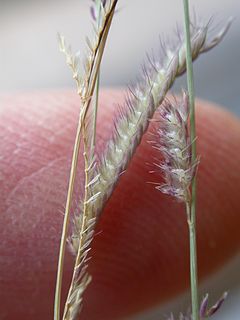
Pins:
x,y
140,107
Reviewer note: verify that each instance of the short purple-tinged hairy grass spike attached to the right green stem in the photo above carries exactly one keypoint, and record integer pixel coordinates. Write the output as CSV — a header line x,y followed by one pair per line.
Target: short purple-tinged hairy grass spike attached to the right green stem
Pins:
x,y
174,143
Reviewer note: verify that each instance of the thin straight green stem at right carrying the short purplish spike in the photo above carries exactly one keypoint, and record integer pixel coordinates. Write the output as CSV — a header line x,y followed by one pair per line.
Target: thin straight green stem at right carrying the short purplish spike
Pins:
x,y
191,207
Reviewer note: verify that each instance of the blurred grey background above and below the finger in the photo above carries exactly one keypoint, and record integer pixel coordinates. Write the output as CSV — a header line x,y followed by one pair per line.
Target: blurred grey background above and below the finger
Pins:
x,y
30,60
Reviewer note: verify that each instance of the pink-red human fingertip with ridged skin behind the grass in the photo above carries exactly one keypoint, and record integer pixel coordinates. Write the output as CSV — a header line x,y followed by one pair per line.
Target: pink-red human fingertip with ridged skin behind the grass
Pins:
x,y
140,250
